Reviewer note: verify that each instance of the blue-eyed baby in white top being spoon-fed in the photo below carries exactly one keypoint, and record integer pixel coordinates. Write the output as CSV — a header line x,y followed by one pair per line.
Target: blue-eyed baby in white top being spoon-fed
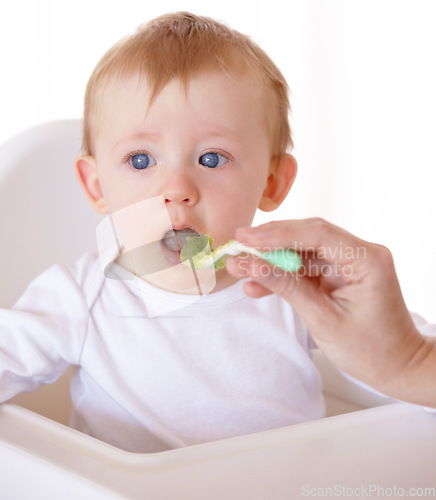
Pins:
x,y
185,133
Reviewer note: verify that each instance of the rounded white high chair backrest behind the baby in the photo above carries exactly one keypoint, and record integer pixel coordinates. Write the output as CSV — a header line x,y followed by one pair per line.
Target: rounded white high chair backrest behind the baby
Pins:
x,y
44,216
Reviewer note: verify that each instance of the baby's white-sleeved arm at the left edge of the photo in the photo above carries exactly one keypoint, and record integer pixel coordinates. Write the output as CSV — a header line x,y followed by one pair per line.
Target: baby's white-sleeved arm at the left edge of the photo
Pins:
x,y
42,334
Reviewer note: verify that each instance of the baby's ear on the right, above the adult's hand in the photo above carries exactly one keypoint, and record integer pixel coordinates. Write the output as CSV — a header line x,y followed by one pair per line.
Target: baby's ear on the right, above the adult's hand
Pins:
x,y
283,171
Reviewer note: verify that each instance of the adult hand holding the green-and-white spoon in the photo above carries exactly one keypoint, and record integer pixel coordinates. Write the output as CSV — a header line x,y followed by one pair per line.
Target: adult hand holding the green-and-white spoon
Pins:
x,y
347,293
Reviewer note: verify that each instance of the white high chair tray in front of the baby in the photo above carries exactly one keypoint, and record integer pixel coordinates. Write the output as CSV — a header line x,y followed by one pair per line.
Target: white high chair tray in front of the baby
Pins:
x,y
385,447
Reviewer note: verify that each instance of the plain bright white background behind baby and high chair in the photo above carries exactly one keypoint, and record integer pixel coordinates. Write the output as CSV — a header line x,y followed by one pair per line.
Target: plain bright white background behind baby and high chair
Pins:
x,y
363,80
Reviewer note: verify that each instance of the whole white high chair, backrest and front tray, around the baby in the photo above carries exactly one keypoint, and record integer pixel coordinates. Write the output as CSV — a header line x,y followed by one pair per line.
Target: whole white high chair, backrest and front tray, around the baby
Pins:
x,y
44,219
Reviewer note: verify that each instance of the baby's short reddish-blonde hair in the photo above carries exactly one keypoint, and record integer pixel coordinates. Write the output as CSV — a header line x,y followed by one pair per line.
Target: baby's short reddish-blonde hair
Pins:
x,y
181,45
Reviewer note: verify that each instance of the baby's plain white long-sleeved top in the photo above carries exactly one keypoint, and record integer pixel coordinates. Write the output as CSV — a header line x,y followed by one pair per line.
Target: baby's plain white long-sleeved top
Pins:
x,y
222,366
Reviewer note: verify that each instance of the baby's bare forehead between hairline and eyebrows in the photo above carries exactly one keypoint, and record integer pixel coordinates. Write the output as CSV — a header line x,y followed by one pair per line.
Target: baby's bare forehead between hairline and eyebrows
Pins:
x,y
214,97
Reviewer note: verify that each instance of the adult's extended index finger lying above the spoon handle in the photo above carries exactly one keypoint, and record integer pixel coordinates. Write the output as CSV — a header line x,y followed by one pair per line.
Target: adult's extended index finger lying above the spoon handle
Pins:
x,y
317,236
